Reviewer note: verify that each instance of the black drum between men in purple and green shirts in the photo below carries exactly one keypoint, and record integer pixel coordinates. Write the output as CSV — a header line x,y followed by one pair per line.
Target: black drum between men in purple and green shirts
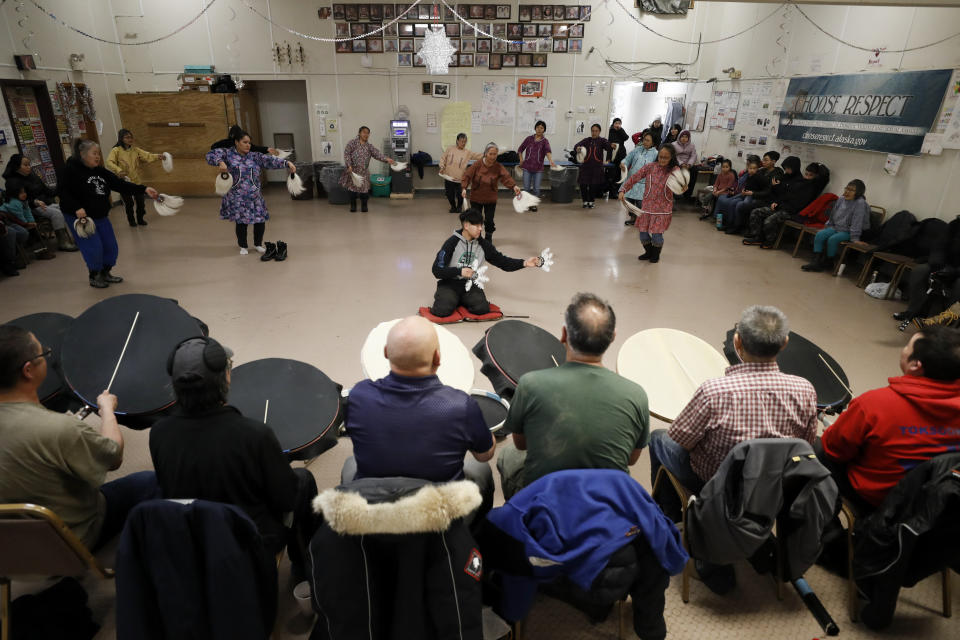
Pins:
x,y
512,348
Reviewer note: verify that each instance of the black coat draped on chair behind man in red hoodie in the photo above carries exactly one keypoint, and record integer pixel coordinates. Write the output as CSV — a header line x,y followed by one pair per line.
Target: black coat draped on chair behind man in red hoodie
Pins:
x,y
911,536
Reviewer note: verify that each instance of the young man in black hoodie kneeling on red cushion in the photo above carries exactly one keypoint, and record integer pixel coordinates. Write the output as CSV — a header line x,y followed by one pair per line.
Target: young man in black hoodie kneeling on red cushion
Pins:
x,y
454,266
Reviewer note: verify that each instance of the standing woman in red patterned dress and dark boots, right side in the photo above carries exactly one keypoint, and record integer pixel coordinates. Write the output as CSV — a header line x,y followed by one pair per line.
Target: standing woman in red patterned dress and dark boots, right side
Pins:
x,y
657,209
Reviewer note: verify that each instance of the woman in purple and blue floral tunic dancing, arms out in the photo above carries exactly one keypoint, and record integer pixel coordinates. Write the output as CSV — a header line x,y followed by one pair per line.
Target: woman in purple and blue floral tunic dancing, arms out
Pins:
x,y
244,203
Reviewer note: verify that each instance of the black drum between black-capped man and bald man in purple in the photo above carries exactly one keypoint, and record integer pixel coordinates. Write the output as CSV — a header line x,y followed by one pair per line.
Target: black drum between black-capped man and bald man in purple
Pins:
x,y
298,401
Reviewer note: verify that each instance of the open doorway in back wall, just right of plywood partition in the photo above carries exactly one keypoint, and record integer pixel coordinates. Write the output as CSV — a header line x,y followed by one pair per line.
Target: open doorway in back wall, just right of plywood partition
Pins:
x,y
284,120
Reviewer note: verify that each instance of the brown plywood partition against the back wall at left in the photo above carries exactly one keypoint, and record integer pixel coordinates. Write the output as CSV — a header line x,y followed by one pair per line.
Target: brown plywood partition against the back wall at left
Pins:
x,y
185,124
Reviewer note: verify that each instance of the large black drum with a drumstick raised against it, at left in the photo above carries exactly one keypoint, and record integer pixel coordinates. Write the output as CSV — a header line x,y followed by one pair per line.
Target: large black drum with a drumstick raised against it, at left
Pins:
x,y
93,343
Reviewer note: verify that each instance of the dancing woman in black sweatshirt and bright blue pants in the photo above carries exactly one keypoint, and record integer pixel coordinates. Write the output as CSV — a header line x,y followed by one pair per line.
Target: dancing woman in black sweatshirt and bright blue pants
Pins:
x,y
85,188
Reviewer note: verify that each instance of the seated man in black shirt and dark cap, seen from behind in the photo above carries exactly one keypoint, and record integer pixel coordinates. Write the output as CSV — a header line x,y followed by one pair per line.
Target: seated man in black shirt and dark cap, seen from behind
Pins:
x,y
209,451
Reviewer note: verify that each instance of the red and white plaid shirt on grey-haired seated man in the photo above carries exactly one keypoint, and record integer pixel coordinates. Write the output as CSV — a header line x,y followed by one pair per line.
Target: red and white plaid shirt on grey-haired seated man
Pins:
x,y
750,401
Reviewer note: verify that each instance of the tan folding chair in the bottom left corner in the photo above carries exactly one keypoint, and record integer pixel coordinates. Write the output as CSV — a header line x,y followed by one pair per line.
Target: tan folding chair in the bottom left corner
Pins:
x,y
37,542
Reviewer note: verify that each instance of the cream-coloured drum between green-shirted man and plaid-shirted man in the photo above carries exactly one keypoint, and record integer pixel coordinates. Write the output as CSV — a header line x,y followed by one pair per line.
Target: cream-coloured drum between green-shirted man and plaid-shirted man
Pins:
x,y
669,365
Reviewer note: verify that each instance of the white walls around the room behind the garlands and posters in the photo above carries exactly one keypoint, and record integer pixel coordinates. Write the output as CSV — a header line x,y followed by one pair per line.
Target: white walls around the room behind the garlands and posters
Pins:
x,y
238,41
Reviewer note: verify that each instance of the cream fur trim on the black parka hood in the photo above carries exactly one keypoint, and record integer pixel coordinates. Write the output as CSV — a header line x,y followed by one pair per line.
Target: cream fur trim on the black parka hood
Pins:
x,y
396,505
